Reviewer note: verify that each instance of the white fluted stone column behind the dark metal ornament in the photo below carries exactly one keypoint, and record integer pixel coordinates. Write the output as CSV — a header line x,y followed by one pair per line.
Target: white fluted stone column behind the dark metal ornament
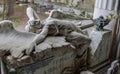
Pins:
x,y
104,7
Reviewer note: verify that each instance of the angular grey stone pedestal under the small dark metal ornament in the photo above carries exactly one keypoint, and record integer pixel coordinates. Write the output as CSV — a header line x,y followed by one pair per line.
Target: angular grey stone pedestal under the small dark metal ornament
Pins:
x,y
100,49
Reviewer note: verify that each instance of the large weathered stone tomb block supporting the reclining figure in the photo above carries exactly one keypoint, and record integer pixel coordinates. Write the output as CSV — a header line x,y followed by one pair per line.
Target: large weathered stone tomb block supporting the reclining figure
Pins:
x,y
53,56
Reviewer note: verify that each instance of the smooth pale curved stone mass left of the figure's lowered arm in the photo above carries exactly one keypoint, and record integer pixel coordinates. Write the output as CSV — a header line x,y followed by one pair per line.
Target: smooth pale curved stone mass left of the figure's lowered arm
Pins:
x,y
12,41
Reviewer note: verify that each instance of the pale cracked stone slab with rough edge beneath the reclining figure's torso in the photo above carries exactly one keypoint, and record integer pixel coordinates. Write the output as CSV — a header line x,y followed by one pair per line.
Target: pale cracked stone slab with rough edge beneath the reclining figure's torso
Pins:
x,y
50,46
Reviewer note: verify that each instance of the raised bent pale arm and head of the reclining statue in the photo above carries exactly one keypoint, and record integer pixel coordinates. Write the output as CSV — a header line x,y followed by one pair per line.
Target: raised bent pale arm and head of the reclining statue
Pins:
x,y
34,22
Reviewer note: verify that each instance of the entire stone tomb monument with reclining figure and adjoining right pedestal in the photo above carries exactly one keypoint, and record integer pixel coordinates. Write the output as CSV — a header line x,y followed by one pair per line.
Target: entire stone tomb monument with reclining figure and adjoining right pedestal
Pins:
x,y
47,45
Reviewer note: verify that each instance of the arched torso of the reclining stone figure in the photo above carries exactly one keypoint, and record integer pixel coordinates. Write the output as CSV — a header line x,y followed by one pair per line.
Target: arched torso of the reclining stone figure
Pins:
x,y
61,27
